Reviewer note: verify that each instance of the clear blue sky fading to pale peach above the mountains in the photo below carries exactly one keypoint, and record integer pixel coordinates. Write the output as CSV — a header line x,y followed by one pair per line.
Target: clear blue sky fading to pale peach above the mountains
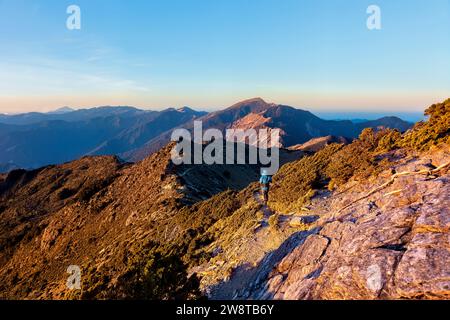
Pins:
x,y
315,54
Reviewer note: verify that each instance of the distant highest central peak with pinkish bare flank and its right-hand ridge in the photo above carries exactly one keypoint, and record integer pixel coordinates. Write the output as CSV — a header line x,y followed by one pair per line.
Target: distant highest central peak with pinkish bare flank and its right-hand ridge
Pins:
x,y
296,126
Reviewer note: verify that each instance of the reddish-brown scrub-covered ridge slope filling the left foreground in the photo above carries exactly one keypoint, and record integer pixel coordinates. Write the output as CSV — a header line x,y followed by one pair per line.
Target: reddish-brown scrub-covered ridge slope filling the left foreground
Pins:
x,y
94,211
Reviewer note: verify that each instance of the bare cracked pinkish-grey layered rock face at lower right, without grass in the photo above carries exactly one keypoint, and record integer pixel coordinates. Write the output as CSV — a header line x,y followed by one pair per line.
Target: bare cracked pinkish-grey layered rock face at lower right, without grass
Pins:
x,y
393,244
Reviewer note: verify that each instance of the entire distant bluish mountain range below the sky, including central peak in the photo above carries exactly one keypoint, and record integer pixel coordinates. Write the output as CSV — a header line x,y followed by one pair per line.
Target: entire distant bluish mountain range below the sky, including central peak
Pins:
x,y
33,140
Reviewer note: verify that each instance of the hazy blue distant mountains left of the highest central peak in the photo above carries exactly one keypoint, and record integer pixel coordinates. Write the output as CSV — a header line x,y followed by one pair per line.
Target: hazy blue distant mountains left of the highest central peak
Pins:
x,y
34,140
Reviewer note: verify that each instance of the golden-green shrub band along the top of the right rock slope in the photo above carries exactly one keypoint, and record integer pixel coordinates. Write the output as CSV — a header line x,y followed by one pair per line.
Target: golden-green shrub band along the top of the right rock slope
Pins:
x,y
365,157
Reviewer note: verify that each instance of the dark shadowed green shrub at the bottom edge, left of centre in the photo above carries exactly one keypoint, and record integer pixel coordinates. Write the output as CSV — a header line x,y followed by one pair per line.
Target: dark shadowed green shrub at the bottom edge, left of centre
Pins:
x,y
152,273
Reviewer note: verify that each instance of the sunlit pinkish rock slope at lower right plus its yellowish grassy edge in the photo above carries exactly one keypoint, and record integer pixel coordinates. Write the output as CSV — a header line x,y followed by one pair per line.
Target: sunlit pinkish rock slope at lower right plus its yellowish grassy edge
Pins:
x,y
392,244
